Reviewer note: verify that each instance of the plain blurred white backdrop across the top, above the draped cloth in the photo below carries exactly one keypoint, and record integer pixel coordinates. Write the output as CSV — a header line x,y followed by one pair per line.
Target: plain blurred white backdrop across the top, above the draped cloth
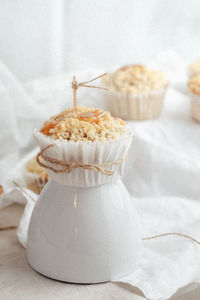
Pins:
x,y
46,37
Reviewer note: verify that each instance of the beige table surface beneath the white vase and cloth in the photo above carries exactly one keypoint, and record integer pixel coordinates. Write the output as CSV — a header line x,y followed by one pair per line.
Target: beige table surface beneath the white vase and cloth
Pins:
x,y
19,282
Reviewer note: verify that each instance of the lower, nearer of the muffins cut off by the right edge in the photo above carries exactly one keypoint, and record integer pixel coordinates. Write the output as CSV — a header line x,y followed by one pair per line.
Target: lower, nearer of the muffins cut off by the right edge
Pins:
x,y
194,90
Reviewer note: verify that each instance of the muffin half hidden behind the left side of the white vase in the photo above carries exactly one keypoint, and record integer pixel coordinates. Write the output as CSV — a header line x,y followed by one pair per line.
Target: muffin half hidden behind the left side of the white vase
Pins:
x,y
35,176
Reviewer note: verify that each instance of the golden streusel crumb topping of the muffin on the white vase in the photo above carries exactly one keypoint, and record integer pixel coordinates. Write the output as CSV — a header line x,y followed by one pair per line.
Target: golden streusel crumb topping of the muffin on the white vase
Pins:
x,y
87,124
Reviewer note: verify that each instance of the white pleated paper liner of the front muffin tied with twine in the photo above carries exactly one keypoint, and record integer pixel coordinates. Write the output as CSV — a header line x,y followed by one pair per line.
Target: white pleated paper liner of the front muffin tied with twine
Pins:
x,y
94,153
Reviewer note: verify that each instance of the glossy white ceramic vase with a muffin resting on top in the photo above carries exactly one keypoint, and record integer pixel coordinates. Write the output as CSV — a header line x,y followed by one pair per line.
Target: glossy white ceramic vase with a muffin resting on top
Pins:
x,y
84,235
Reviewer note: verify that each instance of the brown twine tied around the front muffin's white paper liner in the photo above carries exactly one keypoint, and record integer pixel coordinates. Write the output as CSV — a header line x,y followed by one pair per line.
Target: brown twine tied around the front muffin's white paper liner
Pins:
x,y
68,167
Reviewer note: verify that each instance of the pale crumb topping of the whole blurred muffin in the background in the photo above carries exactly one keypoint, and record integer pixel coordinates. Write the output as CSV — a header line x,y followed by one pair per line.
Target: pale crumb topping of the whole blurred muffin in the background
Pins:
x,y
135,79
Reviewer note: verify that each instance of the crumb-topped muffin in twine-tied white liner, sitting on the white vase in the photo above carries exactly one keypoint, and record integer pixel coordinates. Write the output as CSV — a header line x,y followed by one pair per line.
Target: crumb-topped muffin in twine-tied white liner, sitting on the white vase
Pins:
x,y
88,147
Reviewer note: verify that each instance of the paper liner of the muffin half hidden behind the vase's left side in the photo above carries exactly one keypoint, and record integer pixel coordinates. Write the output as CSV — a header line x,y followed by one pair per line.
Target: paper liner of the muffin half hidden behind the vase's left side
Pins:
x,y
35,182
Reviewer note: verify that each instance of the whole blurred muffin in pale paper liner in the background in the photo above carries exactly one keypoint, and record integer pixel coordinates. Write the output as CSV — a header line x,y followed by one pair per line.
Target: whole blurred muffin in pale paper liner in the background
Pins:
x,y
135,92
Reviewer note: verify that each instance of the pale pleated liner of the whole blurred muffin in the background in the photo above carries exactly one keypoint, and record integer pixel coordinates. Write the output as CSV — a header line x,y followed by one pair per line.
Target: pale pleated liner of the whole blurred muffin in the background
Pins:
x,y
136,106
